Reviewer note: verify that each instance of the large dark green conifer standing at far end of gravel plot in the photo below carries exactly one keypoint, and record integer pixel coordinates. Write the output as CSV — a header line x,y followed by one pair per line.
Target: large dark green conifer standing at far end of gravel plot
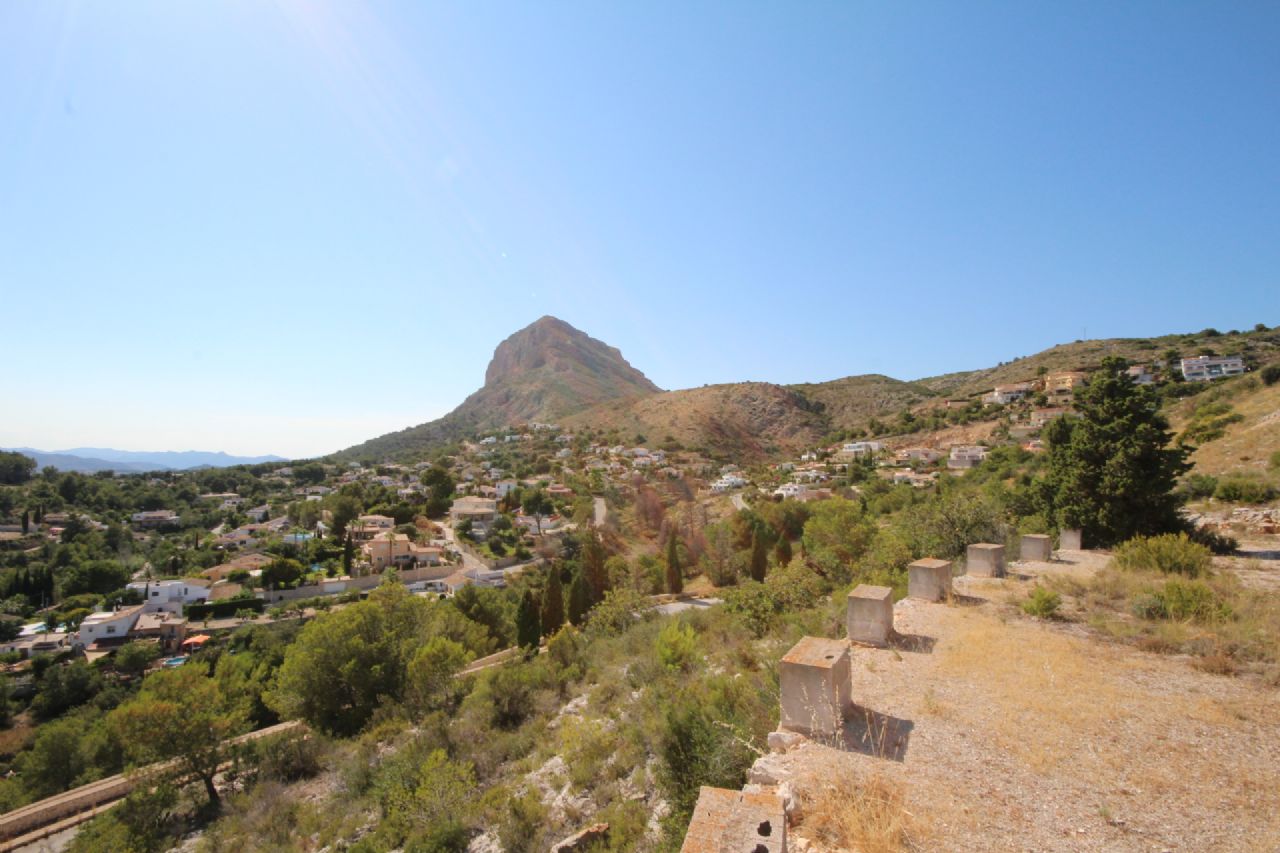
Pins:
x,y
1113,471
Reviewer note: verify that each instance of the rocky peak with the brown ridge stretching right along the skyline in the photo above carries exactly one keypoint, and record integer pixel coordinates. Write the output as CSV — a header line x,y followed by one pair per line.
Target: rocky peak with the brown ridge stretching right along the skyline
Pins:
x,y
551,372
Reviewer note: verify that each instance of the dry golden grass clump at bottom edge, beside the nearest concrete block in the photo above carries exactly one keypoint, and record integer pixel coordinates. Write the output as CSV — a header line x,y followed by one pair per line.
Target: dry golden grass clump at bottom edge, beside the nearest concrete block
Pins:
x,y
868,816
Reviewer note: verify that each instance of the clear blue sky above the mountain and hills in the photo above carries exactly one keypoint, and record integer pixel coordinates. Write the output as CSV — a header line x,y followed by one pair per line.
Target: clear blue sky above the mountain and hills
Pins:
x,y
287,227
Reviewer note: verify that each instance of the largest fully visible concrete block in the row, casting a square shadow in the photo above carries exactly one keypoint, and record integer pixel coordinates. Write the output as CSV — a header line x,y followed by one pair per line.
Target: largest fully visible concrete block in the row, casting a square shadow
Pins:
x,y
817,687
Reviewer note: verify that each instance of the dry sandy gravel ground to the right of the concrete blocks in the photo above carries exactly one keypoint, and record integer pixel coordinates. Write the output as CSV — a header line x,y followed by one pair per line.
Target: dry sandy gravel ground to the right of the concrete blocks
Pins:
x,y
1011,735
